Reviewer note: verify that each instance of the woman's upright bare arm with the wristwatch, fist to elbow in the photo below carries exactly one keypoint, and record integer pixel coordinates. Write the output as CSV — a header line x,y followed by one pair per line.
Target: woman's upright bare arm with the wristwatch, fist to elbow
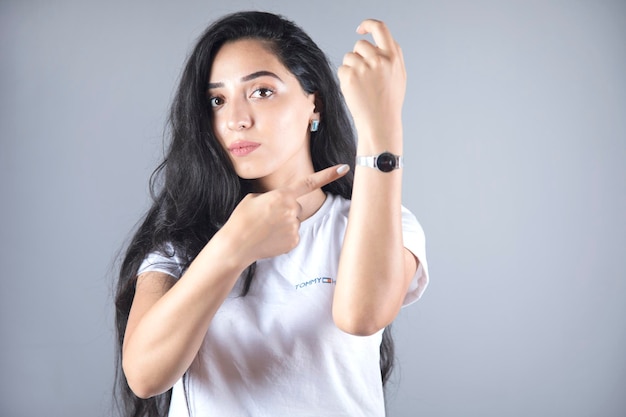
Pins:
x,y
375,269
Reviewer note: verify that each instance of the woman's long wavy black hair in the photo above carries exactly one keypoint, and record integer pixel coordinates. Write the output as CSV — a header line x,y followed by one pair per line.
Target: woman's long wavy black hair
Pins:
x,y
195,188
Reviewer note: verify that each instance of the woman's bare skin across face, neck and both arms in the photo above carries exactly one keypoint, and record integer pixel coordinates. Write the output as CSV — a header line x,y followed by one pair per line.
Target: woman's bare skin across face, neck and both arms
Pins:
x,y
168,318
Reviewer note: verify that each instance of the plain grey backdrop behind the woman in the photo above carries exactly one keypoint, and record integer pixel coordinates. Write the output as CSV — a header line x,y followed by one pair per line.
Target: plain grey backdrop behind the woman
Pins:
x,y
515,132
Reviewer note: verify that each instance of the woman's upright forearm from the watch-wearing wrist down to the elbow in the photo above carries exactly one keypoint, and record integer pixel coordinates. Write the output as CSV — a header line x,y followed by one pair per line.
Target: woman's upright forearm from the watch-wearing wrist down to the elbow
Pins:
x,y
371,279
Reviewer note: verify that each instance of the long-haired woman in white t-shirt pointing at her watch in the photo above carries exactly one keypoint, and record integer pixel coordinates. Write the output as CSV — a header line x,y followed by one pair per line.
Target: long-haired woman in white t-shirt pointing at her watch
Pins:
x,y
262,279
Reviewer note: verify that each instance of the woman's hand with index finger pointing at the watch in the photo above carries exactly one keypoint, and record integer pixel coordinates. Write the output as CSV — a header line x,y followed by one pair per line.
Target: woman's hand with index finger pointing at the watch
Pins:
x,y
267,224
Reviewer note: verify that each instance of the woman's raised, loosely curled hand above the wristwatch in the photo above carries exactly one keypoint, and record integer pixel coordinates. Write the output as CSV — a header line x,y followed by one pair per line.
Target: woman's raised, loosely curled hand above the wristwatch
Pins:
x,y
373,82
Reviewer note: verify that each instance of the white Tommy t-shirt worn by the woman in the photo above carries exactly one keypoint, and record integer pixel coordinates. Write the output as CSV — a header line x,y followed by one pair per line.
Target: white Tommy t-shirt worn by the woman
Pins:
x,y
276,351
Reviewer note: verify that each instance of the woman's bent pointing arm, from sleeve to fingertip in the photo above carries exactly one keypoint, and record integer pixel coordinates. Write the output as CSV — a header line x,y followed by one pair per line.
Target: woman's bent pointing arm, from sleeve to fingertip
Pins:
x,y
169,319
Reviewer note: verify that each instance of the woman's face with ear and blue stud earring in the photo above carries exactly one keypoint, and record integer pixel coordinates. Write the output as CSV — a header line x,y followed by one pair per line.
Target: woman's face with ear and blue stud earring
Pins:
x,y
261,114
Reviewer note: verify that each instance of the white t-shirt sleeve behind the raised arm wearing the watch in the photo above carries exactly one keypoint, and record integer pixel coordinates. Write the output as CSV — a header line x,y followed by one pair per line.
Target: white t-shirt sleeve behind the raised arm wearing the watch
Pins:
x,y
415,241
